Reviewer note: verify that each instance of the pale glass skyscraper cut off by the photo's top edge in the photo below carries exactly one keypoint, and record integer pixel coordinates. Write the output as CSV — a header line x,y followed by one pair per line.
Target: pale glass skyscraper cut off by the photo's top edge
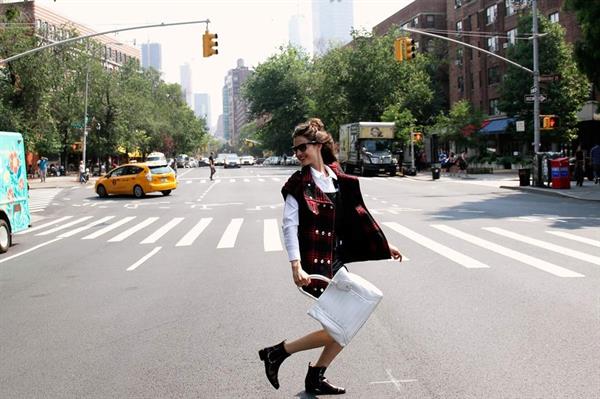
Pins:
x,y
332,22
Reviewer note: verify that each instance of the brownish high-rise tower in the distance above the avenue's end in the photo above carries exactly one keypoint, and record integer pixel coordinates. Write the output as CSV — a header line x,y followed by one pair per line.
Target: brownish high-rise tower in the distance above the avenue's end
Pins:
x,y
235,112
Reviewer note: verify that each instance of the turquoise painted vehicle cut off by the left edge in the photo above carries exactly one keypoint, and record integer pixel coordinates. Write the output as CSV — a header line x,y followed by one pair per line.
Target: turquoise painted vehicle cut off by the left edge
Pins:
x,y
14,190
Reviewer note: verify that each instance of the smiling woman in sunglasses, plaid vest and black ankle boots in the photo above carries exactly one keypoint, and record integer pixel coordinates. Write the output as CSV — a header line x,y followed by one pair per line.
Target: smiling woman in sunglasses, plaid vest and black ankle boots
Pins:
x,y
325,224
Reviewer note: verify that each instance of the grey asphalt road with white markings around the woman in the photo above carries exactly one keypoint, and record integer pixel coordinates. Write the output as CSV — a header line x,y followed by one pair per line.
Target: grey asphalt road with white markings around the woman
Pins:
x,y
171,297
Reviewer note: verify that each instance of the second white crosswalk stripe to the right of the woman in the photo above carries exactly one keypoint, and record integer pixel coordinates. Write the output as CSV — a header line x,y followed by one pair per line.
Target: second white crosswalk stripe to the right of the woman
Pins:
x,y
518,256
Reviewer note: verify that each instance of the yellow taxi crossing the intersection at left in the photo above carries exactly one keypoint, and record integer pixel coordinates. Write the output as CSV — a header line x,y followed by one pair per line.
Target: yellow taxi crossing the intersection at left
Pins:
x,y
138,179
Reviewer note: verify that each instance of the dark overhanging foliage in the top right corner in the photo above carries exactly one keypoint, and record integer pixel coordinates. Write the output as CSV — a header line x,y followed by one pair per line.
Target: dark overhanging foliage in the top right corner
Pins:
x,y
587,51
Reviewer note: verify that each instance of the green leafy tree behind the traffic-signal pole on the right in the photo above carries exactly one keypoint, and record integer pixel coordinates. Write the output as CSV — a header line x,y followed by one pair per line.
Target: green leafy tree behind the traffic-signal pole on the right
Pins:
x,y
564,97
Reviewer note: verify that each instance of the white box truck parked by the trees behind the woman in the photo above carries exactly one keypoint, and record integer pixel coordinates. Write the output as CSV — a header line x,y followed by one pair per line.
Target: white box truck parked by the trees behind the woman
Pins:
x,y
366,147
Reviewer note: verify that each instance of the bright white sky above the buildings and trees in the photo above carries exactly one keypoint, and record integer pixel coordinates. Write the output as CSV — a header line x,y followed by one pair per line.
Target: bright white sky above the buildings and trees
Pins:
x,y
251,30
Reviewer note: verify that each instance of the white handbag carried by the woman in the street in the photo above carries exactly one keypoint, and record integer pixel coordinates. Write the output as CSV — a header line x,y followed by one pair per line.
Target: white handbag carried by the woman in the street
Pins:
x,y
345,305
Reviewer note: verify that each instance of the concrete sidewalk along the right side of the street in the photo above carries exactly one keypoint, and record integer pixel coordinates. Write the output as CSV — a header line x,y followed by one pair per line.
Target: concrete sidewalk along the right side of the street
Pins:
x,y
510,180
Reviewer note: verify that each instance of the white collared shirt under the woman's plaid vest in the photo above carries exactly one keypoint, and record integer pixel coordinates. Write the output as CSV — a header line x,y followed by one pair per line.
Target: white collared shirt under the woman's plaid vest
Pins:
x,y
291,214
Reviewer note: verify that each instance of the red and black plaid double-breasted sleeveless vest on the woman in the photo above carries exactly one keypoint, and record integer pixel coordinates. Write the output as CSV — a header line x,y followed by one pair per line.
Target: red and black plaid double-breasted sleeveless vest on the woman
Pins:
x,y
362,238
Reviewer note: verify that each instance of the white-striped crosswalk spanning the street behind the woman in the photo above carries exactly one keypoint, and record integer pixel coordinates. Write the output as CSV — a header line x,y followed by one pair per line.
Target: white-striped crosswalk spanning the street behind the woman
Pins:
x,y
185,232
